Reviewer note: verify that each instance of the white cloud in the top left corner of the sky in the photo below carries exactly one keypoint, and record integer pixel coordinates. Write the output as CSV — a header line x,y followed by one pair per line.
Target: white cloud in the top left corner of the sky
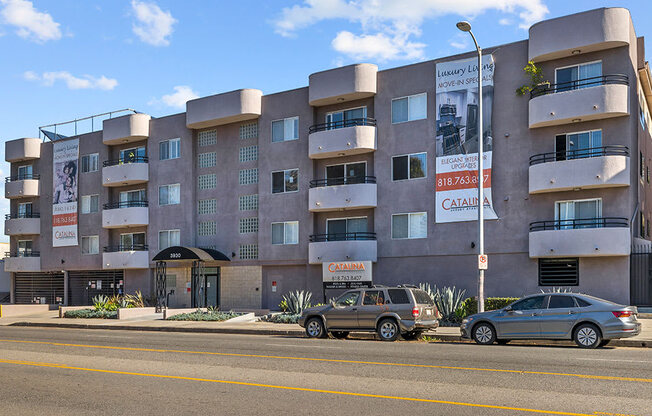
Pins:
x,y
29,22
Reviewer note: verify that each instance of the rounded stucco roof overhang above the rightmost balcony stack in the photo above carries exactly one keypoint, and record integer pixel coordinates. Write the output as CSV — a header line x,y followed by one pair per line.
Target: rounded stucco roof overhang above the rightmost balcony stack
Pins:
x,y
579,33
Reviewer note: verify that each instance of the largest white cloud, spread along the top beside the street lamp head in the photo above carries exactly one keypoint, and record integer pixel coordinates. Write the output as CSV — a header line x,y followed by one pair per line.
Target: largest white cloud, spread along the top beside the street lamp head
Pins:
x,y
388,27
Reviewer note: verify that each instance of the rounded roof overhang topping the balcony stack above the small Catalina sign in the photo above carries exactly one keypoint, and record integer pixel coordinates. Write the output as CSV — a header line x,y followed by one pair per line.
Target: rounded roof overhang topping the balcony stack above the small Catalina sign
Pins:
x,y
348,83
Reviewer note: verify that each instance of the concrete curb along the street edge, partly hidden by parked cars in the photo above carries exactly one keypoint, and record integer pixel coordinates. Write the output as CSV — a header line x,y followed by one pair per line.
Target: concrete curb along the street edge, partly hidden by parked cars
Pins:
x,y
300,333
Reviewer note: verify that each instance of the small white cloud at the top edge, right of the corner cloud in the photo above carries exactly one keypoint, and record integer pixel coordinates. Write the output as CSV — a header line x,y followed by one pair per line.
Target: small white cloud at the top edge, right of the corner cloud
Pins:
x,y
153,25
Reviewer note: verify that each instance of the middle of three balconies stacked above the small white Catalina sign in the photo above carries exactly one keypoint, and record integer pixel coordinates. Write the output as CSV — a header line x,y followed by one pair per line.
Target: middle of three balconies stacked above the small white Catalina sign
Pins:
x,y
337,194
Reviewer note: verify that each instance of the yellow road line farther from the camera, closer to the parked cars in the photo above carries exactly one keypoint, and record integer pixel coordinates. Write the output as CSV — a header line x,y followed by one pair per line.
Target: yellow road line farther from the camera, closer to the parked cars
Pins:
x,y
330,360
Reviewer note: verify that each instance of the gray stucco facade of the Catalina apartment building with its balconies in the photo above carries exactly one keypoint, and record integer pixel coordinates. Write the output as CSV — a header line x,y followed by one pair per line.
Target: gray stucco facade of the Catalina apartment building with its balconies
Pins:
x,y
242,121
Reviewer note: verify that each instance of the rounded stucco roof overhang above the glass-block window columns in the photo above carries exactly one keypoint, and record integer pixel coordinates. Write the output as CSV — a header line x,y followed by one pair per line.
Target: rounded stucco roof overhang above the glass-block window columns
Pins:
x,y
229,107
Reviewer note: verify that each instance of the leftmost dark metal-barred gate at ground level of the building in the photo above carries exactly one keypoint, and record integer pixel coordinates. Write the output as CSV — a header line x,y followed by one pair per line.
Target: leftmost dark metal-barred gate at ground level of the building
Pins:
x,y
45,288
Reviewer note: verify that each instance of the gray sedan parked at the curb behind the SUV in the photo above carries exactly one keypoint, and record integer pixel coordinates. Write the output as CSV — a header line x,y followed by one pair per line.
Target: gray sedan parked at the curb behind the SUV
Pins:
x,y
589,321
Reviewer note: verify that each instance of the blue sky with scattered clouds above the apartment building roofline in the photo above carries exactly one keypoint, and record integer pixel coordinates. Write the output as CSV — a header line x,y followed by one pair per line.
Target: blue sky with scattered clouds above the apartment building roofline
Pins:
x,y
65,59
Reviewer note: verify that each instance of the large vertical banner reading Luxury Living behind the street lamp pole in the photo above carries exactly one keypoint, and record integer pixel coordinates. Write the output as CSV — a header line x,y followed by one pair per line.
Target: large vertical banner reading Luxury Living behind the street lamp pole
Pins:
x,y
456,185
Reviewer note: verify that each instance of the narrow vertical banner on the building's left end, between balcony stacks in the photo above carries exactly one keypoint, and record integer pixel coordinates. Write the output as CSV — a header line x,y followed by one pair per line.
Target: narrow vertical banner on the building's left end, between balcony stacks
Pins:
x,y
65,156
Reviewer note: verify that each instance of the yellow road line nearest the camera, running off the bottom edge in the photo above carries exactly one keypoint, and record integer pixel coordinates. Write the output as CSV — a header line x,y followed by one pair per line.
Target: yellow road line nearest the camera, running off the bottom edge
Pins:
x,y
303,389
